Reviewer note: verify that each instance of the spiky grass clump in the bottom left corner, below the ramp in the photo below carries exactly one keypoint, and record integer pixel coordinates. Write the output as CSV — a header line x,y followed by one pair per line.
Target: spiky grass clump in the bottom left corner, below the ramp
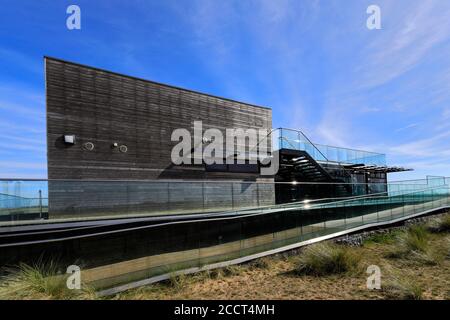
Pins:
x,y
42,281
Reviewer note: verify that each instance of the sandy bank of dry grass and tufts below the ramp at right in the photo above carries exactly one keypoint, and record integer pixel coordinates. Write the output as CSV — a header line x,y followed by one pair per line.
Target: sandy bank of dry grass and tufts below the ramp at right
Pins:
x,y
326,271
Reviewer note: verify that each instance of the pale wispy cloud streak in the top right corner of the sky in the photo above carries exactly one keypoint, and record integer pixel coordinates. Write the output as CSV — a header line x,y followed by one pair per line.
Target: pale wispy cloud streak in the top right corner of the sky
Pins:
x,y
412,31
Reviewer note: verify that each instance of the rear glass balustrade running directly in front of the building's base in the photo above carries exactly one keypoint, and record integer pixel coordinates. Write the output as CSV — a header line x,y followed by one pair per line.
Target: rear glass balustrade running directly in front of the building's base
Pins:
x,y
30,200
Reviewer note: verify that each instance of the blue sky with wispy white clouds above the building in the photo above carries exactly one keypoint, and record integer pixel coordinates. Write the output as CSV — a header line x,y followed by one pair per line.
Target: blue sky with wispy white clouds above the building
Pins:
x,y
313,62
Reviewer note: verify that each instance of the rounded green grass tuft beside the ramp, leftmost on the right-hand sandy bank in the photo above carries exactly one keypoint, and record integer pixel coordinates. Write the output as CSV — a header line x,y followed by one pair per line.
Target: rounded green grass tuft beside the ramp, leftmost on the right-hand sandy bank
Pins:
x,y
325,258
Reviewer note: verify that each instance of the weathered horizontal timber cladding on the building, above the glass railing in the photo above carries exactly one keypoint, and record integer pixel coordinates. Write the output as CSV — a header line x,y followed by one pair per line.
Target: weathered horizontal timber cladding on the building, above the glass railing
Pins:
x,y
104,107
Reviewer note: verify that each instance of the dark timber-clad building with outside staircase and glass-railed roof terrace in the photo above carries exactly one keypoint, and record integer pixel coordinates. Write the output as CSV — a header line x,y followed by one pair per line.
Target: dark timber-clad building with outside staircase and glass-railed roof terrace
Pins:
x,y
122,128
